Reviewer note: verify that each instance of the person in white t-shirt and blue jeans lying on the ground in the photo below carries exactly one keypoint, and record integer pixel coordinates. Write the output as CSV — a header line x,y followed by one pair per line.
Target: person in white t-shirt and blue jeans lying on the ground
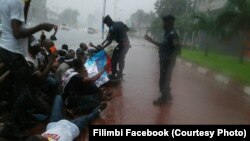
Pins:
x,y
60,129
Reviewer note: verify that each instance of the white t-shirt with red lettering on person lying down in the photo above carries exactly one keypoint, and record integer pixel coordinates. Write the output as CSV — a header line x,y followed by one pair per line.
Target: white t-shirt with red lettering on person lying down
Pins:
x,y
62,130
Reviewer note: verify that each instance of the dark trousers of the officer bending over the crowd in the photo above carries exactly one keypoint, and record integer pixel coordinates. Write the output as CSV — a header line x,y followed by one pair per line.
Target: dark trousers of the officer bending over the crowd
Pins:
x,y
118,58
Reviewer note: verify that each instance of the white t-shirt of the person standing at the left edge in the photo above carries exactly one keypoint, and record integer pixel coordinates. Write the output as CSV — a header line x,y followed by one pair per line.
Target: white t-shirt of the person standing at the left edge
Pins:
x,y
10,10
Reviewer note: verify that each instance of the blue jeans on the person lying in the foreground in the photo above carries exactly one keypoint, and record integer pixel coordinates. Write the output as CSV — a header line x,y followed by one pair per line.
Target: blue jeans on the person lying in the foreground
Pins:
x,y
81,122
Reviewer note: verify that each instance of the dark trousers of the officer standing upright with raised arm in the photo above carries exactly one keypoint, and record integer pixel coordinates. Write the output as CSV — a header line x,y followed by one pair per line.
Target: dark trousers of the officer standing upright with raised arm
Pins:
x,y
166,69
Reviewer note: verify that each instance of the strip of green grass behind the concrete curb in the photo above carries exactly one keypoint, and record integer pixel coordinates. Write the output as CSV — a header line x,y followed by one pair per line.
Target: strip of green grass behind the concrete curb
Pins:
x,y
227,65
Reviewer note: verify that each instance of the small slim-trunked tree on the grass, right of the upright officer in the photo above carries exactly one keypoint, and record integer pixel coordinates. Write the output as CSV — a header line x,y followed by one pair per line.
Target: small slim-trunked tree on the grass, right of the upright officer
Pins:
x,y
205,23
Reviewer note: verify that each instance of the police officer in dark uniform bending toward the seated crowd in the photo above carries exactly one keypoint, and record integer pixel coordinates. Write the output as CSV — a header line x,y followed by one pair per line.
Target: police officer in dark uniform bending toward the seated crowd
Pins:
x,y
118,32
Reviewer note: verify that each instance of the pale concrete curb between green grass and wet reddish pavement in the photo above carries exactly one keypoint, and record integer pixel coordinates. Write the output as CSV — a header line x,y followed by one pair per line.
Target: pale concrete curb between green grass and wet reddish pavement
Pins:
x,y
217,77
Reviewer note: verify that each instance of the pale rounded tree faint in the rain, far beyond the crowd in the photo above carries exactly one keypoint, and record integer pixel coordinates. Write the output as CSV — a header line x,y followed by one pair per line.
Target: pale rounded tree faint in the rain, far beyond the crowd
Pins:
x,y
69,16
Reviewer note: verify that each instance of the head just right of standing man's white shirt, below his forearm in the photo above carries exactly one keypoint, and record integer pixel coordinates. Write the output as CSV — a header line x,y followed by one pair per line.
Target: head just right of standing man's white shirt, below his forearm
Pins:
x,y
34,46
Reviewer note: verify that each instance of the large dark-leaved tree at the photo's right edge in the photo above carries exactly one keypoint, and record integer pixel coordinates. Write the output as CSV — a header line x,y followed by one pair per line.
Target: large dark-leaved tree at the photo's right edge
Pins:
x,y
235,20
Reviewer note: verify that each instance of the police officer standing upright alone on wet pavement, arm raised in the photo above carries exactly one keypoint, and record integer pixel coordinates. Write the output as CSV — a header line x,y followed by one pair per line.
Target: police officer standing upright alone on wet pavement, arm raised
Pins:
x,y
168,51
